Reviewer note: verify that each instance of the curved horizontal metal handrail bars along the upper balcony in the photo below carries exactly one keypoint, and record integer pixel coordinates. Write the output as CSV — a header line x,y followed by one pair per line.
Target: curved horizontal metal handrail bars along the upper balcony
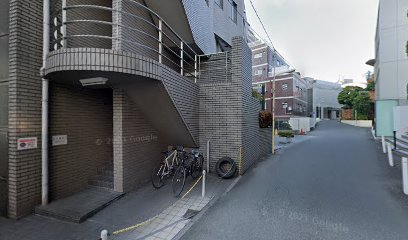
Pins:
x,y
183,51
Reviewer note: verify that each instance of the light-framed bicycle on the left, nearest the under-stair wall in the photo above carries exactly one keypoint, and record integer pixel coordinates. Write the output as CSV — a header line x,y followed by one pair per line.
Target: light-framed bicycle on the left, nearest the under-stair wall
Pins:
x,y
165,169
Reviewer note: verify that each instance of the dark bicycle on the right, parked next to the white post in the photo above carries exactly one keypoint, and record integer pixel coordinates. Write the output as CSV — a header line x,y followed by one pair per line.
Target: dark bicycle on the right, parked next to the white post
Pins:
x,y
192,165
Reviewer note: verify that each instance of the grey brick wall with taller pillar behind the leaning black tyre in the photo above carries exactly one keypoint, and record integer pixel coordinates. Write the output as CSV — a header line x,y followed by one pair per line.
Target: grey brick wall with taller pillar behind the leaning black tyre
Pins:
x,y
229,113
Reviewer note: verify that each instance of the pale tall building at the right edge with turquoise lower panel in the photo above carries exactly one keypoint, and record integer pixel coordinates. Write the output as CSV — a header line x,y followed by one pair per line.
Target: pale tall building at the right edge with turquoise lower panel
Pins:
x,y
391,62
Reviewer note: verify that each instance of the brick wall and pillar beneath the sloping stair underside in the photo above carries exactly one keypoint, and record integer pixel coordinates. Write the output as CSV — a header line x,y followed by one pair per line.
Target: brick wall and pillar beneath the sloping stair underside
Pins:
x,y
137,146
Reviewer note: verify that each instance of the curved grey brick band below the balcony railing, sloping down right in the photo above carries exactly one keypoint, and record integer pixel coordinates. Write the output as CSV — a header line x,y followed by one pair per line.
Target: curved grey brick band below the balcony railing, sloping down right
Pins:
x,y
182,91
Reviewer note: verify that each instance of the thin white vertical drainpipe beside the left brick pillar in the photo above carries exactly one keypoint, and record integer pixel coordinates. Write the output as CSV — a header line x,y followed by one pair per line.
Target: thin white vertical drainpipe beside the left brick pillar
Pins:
x,y
44,121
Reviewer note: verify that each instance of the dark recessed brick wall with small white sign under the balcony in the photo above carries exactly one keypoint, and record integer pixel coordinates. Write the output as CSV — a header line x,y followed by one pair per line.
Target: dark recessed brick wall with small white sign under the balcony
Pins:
x,y
85,116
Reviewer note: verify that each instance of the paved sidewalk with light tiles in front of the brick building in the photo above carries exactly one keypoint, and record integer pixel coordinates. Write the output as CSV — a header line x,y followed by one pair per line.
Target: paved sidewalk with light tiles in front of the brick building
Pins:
x,y
135,207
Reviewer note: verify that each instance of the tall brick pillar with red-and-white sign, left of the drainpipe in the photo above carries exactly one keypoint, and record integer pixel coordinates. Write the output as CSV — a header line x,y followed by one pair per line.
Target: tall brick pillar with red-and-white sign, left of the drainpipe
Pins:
x,y
25,60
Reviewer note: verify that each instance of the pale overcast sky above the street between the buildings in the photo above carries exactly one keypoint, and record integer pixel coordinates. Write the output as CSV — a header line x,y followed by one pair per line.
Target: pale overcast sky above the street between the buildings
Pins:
x,y
324,39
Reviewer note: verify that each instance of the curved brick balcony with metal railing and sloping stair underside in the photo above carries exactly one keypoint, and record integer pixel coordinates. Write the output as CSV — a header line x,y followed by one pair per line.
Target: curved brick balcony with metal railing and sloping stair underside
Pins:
x,y
134,49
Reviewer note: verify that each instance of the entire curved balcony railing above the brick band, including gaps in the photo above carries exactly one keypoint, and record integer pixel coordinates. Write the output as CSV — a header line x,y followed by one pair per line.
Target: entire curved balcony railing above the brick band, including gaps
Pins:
x,y
128,26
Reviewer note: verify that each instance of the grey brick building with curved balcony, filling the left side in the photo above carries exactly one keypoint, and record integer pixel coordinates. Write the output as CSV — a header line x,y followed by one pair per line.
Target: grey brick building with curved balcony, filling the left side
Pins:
x,y
121,80
